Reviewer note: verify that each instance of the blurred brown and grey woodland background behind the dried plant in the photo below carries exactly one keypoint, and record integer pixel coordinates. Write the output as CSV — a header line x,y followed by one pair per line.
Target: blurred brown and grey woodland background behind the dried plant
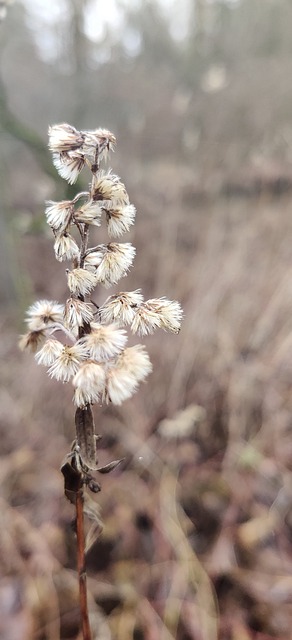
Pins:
x,y
197,532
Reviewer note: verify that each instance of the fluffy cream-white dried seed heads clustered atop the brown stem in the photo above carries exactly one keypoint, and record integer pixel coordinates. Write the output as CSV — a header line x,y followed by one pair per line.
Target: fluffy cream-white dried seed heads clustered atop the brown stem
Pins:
x,y
93,351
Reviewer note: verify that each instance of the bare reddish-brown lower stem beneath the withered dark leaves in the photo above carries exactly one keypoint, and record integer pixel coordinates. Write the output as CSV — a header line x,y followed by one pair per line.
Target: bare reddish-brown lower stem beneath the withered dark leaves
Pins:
x,y
81,565
